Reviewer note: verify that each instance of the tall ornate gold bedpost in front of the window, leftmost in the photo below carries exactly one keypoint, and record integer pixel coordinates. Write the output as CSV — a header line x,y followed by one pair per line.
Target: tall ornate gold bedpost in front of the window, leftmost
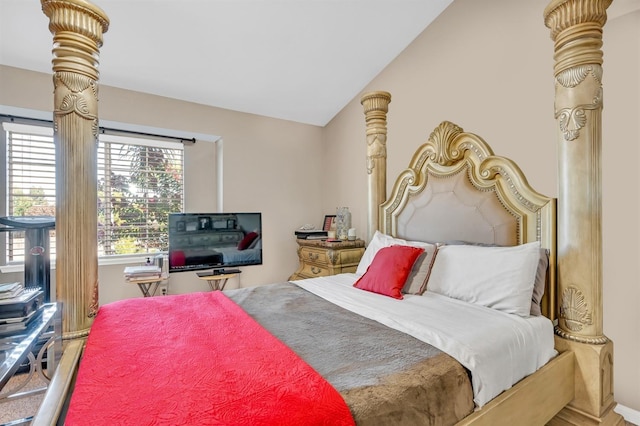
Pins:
x,y
77,27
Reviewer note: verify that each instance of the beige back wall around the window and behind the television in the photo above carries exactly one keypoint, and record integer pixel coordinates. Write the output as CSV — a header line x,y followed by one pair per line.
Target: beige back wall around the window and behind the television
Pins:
x,y
270,166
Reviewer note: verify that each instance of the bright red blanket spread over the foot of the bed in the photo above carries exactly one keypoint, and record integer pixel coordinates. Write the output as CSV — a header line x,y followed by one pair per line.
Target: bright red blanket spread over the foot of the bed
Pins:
x,y
195,359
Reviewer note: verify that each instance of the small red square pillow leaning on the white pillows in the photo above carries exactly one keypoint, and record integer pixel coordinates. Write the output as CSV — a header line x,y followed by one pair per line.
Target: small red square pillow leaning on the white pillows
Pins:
x,y
389,270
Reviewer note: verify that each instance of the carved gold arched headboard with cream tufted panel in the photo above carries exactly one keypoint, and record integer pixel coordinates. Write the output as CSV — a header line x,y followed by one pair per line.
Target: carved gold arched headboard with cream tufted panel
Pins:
x,y
455,188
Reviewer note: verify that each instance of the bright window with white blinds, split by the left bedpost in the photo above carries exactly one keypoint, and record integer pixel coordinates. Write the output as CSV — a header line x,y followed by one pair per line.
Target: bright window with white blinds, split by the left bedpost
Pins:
x,y
140,180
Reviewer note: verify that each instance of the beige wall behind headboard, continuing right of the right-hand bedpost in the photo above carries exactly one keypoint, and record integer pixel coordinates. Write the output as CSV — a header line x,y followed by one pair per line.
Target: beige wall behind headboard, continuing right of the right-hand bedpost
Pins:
x,y
499,84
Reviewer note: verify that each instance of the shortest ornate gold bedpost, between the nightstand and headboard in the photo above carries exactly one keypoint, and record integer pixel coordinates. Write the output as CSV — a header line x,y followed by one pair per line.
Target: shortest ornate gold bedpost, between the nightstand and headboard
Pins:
x,y
376,106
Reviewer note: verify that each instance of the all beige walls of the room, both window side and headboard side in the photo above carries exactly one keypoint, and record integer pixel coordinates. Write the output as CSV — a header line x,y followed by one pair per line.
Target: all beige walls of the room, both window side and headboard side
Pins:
x,y
497,83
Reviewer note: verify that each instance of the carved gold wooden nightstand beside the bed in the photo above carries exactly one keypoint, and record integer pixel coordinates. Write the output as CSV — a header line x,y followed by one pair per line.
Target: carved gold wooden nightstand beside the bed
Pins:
x,y
320,258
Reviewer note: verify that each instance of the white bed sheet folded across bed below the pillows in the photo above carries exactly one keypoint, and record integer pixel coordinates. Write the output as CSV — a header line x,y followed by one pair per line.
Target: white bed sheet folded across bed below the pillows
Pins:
x,y
498,348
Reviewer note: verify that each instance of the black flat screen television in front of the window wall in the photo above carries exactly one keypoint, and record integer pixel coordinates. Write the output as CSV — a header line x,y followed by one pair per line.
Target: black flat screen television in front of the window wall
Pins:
x,y
214,241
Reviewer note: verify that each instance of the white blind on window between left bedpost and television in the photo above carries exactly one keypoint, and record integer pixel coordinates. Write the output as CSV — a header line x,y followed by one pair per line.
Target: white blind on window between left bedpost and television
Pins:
x,y
139,183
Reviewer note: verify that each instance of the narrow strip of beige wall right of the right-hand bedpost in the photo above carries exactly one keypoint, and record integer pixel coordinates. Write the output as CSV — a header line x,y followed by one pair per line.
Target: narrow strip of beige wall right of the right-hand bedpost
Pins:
x,y
620,198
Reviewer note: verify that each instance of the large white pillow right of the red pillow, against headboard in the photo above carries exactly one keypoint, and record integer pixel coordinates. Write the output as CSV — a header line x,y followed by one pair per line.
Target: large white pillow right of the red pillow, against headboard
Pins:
x,y
497,277
